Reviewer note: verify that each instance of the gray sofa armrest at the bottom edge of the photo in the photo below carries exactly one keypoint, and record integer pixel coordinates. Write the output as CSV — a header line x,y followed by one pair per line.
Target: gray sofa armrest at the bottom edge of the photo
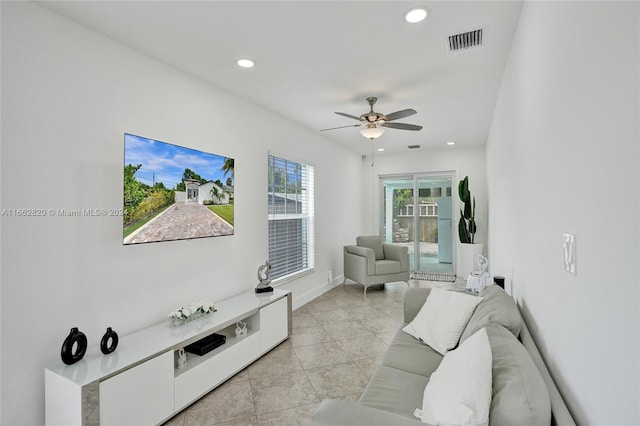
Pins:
x,y
333,413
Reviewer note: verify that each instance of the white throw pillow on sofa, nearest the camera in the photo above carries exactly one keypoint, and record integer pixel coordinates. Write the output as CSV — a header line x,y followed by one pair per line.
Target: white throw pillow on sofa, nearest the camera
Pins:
x,y
459,391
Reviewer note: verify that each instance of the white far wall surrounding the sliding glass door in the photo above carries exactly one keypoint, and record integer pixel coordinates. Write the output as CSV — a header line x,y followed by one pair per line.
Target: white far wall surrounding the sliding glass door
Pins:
x,y
462,161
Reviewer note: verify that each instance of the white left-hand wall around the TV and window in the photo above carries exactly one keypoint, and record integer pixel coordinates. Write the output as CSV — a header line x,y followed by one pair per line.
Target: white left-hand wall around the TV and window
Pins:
x,y
68,96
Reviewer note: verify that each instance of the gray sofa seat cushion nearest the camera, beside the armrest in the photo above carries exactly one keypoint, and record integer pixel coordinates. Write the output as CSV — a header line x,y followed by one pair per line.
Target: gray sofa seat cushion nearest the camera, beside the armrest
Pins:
x,y
395,391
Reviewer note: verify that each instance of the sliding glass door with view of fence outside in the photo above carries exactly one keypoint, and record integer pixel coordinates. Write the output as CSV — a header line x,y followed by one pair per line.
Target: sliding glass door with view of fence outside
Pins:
x,y
423,223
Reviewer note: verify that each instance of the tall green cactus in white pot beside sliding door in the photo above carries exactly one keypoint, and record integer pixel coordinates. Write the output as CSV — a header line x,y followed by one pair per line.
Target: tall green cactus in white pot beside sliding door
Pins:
x,y
469,249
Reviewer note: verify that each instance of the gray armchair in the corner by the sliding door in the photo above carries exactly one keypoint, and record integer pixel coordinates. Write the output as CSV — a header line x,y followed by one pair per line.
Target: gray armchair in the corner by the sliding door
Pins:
x,y
372,261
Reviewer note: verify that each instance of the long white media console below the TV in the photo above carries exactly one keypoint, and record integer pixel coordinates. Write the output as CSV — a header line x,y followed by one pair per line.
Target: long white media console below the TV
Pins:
x,y
139,382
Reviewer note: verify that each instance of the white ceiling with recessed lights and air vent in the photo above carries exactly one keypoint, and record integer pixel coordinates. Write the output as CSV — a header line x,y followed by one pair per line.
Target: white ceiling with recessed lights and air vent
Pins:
x,y
317,57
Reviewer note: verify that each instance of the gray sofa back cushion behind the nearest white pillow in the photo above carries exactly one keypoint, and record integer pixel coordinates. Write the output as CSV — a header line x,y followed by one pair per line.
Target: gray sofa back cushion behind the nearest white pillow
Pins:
x,y
520,395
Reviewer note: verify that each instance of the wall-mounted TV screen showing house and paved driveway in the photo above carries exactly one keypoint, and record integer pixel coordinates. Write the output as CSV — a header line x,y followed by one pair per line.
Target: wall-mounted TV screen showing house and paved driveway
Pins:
x,y
175,193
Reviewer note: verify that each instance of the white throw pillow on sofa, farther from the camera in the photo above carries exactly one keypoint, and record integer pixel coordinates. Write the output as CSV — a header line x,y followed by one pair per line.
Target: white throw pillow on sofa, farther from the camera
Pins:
x,y
442,319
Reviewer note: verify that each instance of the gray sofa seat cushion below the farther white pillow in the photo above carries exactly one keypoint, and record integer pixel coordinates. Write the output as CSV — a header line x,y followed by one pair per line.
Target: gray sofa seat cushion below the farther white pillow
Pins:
x,y
408,354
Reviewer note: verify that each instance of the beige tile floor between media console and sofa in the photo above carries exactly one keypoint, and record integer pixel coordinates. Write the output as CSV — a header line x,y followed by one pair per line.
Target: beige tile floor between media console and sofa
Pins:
x,y
337,342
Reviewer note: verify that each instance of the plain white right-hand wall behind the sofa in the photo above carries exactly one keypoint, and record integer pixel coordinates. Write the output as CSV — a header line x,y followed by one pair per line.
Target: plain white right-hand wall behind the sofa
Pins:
x,y
562,156
